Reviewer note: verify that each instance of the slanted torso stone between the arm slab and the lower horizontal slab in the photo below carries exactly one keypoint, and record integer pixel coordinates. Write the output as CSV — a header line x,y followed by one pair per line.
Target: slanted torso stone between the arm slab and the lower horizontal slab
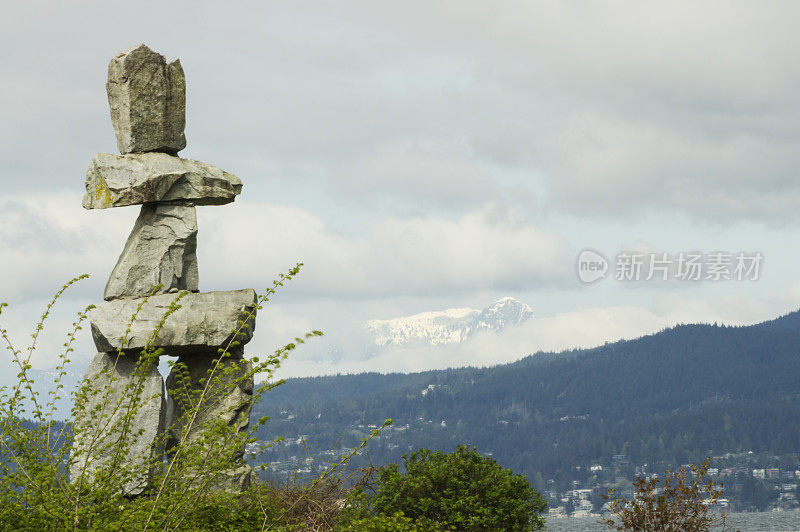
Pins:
x,y
161,249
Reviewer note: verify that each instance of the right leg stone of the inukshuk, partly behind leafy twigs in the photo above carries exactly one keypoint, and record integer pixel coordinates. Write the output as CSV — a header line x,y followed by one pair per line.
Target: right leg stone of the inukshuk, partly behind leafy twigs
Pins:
x,y
214,430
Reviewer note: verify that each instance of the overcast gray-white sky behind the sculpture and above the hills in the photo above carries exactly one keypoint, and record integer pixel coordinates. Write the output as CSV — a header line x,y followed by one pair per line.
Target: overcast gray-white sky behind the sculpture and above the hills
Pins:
x,y
419,156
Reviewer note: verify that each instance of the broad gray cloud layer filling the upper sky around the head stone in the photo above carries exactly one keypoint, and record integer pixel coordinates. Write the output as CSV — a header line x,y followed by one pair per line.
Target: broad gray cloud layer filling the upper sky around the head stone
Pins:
x,y
606,109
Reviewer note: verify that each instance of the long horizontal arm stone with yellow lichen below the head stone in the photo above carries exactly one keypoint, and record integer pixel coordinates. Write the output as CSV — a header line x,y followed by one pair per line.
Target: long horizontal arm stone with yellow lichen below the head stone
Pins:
x,y
137,178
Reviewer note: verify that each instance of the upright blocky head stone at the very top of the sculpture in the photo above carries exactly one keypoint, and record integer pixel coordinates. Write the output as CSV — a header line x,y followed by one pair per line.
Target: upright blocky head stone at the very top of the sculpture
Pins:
x,y
147,97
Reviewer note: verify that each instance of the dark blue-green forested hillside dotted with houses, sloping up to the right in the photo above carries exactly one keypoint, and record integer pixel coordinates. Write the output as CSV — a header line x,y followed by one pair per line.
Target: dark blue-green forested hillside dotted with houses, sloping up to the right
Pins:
x,y
670,398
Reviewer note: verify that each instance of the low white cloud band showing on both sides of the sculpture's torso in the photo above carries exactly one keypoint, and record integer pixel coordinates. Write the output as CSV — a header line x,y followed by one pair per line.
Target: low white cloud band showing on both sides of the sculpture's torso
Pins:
x,y
47,237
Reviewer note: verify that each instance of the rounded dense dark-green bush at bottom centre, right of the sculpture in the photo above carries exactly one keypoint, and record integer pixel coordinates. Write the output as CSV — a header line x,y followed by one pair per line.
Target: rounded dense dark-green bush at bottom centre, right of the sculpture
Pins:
x,y
462,490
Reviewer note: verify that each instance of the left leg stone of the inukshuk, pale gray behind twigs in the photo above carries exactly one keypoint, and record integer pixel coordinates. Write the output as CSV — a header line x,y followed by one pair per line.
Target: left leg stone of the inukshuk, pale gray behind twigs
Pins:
x,y
99,443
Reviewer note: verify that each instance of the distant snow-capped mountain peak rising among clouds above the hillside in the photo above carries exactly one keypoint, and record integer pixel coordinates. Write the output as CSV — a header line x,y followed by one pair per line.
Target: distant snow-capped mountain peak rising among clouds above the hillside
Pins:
x,y
449,326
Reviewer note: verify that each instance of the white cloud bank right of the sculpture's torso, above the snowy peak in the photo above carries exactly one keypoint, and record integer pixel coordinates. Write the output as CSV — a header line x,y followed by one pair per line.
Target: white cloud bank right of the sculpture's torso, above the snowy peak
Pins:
x,y
486,248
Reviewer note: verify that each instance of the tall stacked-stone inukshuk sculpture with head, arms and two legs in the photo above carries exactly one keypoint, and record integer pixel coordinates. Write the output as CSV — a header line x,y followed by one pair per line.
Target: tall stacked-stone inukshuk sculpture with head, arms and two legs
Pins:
x,y
147,97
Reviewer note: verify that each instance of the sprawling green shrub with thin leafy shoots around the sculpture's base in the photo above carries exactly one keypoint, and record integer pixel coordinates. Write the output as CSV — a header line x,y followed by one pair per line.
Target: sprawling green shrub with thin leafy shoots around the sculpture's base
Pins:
x,y
37,491
